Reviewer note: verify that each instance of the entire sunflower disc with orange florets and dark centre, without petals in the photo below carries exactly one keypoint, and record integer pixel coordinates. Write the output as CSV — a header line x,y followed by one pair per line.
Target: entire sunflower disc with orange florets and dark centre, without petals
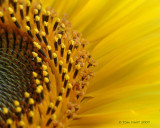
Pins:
x,y
44,66
